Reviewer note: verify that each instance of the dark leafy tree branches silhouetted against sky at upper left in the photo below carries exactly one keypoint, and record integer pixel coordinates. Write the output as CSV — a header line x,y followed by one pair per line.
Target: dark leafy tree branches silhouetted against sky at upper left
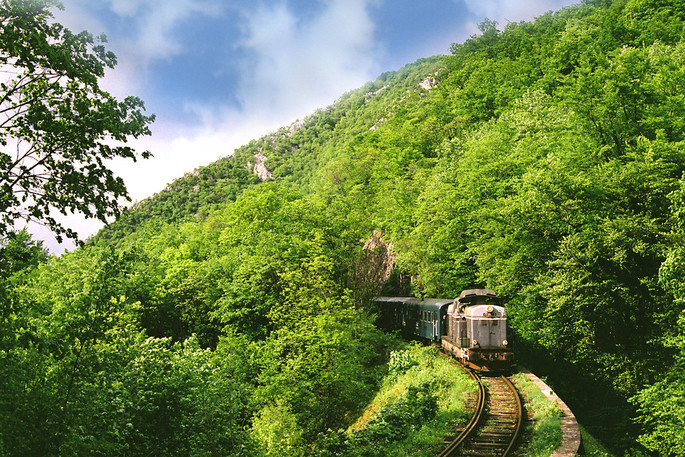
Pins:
x,y
57,124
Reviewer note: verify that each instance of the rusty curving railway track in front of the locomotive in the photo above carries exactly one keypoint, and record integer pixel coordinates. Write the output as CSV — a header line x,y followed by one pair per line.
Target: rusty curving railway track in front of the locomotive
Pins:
x,y
494,426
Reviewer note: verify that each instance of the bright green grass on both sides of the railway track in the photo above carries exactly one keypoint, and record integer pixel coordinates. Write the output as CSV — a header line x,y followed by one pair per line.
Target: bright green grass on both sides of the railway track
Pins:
x,y
422,401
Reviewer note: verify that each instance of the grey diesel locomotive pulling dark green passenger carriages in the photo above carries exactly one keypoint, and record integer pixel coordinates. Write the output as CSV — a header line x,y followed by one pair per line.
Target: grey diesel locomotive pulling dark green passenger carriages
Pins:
x,y
472,328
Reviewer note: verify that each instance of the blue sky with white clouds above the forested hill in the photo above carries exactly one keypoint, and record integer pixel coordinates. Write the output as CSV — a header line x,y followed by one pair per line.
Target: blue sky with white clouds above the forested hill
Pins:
x,y
219,73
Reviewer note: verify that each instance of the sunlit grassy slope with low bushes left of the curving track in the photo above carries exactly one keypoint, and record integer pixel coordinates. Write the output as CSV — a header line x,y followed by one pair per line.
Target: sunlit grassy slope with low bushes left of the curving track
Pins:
x,y
421,401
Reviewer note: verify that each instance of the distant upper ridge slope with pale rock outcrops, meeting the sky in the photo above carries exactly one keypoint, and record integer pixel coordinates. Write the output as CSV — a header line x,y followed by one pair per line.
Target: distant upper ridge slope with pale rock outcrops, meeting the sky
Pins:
x,y
293,154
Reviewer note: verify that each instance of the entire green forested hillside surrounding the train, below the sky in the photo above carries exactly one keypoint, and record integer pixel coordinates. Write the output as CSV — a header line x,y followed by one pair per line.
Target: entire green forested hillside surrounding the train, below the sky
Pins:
x,y
229,314
